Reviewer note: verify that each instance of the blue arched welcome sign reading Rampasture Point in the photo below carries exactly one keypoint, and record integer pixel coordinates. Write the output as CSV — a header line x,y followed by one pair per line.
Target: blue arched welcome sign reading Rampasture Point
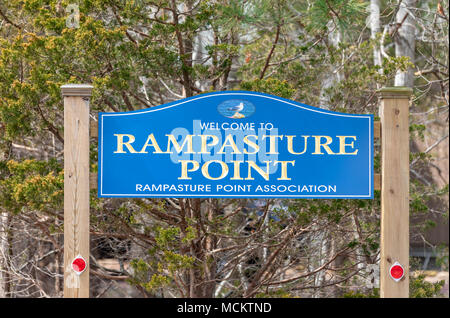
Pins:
x,y
235,144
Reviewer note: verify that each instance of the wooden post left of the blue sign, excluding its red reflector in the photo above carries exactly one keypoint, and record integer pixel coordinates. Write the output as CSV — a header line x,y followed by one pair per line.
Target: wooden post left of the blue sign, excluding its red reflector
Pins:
x,y
76,187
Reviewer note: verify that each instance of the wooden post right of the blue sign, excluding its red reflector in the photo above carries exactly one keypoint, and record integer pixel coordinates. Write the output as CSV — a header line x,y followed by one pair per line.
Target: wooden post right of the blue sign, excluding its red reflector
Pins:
x,y
394,114
